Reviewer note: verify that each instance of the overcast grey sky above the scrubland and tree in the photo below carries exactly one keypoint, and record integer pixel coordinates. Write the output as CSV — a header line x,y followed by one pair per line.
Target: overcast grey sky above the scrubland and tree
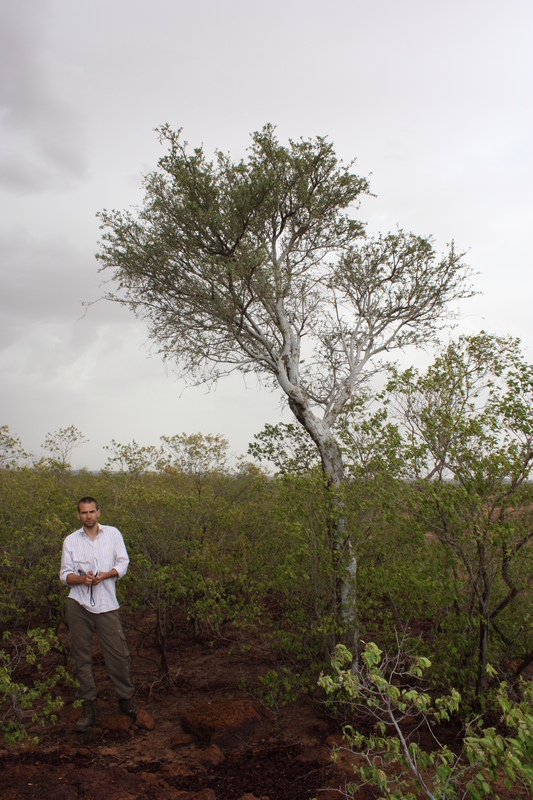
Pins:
x,y
433,97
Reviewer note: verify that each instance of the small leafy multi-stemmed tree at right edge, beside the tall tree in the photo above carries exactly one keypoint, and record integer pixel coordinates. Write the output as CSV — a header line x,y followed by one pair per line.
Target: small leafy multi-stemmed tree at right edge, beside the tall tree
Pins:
x,y
468,456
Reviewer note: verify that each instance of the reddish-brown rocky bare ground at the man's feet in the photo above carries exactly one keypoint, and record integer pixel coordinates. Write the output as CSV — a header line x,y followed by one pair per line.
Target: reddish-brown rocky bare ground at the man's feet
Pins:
x,y
203,736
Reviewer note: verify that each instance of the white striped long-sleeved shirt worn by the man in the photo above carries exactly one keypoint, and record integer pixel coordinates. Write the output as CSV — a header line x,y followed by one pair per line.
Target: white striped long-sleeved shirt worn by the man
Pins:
x,y
109,552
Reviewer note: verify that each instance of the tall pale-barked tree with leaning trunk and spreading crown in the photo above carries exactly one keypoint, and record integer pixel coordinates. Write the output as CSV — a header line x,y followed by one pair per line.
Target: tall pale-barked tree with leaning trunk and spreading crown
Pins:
x,y
256,265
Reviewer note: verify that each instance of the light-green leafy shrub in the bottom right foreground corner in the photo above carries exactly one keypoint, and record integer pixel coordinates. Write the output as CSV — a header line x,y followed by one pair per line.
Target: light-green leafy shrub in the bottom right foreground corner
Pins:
x,y
387,690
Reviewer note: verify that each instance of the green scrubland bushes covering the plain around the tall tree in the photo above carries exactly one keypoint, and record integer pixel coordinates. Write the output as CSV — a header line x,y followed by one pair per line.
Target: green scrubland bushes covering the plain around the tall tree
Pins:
x,y
437,507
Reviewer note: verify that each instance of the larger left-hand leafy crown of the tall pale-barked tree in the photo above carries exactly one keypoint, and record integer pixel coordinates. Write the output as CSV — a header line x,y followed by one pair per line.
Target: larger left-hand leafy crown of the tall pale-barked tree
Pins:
x,y
221,232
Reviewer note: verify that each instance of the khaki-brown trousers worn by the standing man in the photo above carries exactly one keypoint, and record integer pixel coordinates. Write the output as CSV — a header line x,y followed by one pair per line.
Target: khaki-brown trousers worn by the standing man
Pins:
x,y
108,628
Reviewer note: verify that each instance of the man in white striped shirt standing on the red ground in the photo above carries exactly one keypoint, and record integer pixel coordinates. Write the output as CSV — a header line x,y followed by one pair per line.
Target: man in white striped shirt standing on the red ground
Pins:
x,y
93,559
